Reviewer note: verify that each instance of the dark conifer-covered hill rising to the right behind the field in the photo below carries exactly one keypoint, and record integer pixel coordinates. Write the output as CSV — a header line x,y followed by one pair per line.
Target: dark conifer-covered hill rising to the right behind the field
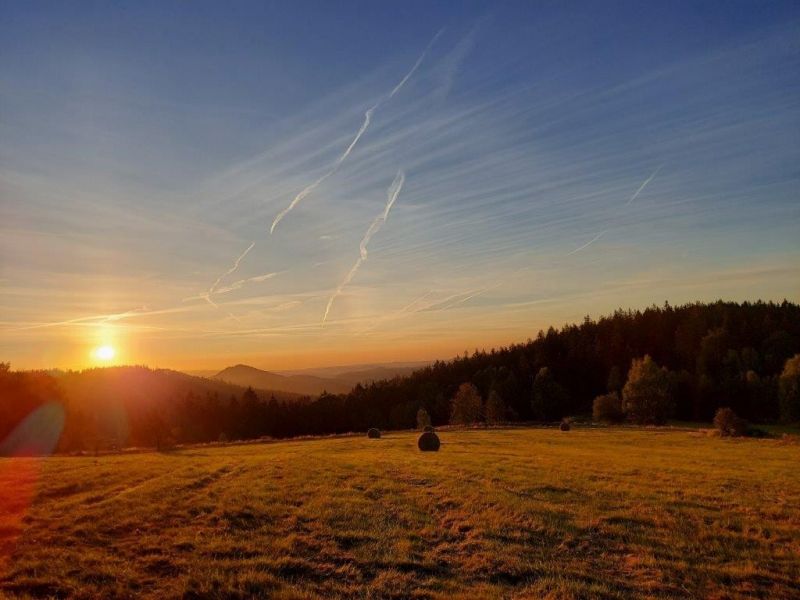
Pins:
x,y
720,354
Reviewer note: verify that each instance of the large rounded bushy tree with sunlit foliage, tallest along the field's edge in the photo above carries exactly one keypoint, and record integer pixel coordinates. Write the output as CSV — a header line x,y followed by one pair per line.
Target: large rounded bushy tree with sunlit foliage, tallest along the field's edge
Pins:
x,y
645,397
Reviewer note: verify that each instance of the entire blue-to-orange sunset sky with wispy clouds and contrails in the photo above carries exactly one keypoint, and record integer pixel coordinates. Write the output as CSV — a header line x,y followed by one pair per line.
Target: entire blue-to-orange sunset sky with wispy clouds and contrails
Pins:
x,y
304,184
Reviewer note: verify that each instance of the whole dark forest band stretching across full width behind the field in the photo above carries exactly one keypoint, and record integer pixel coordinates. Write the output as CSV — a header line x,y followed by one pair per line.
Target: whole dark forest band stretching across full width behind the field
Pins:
x,y
710,355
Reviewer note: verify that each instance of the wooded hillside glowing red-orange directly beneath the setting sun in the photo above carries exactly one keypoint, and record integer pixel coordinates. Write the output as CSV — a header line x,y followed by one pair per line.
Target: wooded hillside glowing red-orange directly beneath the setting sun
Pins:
x,y
132,405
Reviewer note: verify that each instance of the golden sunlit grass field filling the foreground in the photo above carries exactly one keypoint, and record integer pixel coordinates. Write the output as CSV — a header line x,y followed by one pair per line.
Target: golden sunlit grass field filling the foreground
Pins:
x,y
523,513
